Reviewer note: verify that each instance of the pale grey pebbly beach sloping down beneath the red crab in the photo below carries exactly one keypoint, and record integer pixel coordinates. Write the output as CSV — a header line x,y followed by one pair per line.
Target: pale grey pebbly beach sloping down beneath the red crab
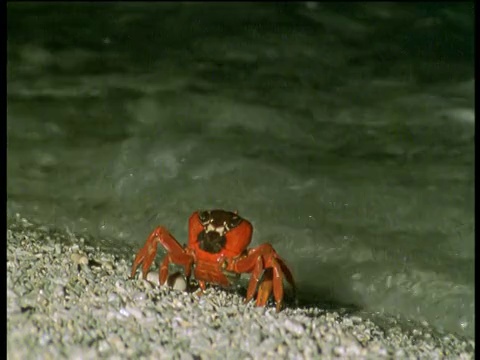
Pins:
x,y
66,299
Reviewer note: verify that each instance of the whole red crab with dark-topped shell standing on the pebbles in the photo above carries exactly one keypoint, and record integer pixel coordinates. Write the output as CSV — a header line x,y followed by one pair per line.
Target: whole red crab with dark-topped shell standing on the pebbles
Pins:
x,y
217,250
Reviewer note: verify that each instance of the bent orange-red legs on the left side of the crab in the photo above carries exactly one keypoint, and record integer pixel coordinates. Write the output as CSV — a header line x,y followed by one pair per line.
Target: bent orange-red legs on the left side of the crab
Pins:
x,y
175,254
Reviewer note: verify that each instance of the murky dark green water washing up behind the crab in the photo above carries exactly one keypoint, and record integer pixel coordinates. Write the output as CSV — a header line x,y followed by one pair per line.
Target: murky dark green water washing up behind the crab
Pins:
x,y
345,133
